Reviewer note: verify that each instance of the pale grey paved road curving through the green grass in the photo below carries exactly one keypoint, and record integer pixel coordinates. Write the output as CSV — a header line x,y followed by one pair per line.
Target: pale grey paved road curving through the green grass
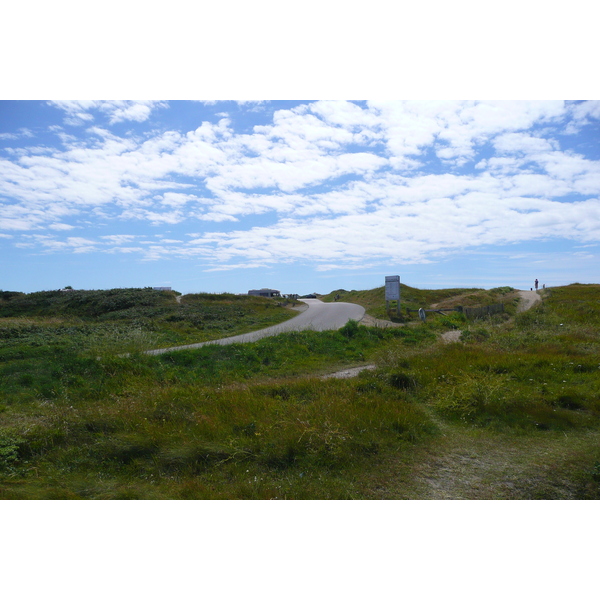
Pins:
x,y
319,316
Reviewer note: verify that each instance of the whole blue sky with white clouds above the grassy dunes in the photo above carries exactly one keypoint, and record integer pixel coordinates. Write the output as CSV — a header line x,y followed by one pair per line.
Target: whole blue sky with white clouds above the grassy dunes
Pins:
x,y
301,196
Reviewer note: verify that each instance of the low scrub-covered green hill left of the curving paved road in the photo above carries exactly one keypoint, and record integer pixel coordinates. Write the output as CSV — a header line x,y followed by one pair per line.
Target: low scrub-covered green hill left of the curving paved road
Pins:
x,y
128,319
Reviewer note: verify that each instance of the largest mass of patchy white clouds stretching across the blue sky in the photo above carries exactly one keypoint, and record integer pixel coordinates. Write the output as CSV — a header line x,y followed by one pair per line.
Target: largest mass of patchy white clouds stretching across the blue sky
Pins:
x,y
344,183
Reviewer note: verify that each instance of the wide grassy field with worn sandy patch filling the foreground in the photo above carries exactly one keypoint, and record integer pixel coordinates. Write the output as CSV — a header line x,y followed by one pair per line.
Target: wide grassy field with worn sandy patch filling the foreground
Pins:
x,y
511,411
